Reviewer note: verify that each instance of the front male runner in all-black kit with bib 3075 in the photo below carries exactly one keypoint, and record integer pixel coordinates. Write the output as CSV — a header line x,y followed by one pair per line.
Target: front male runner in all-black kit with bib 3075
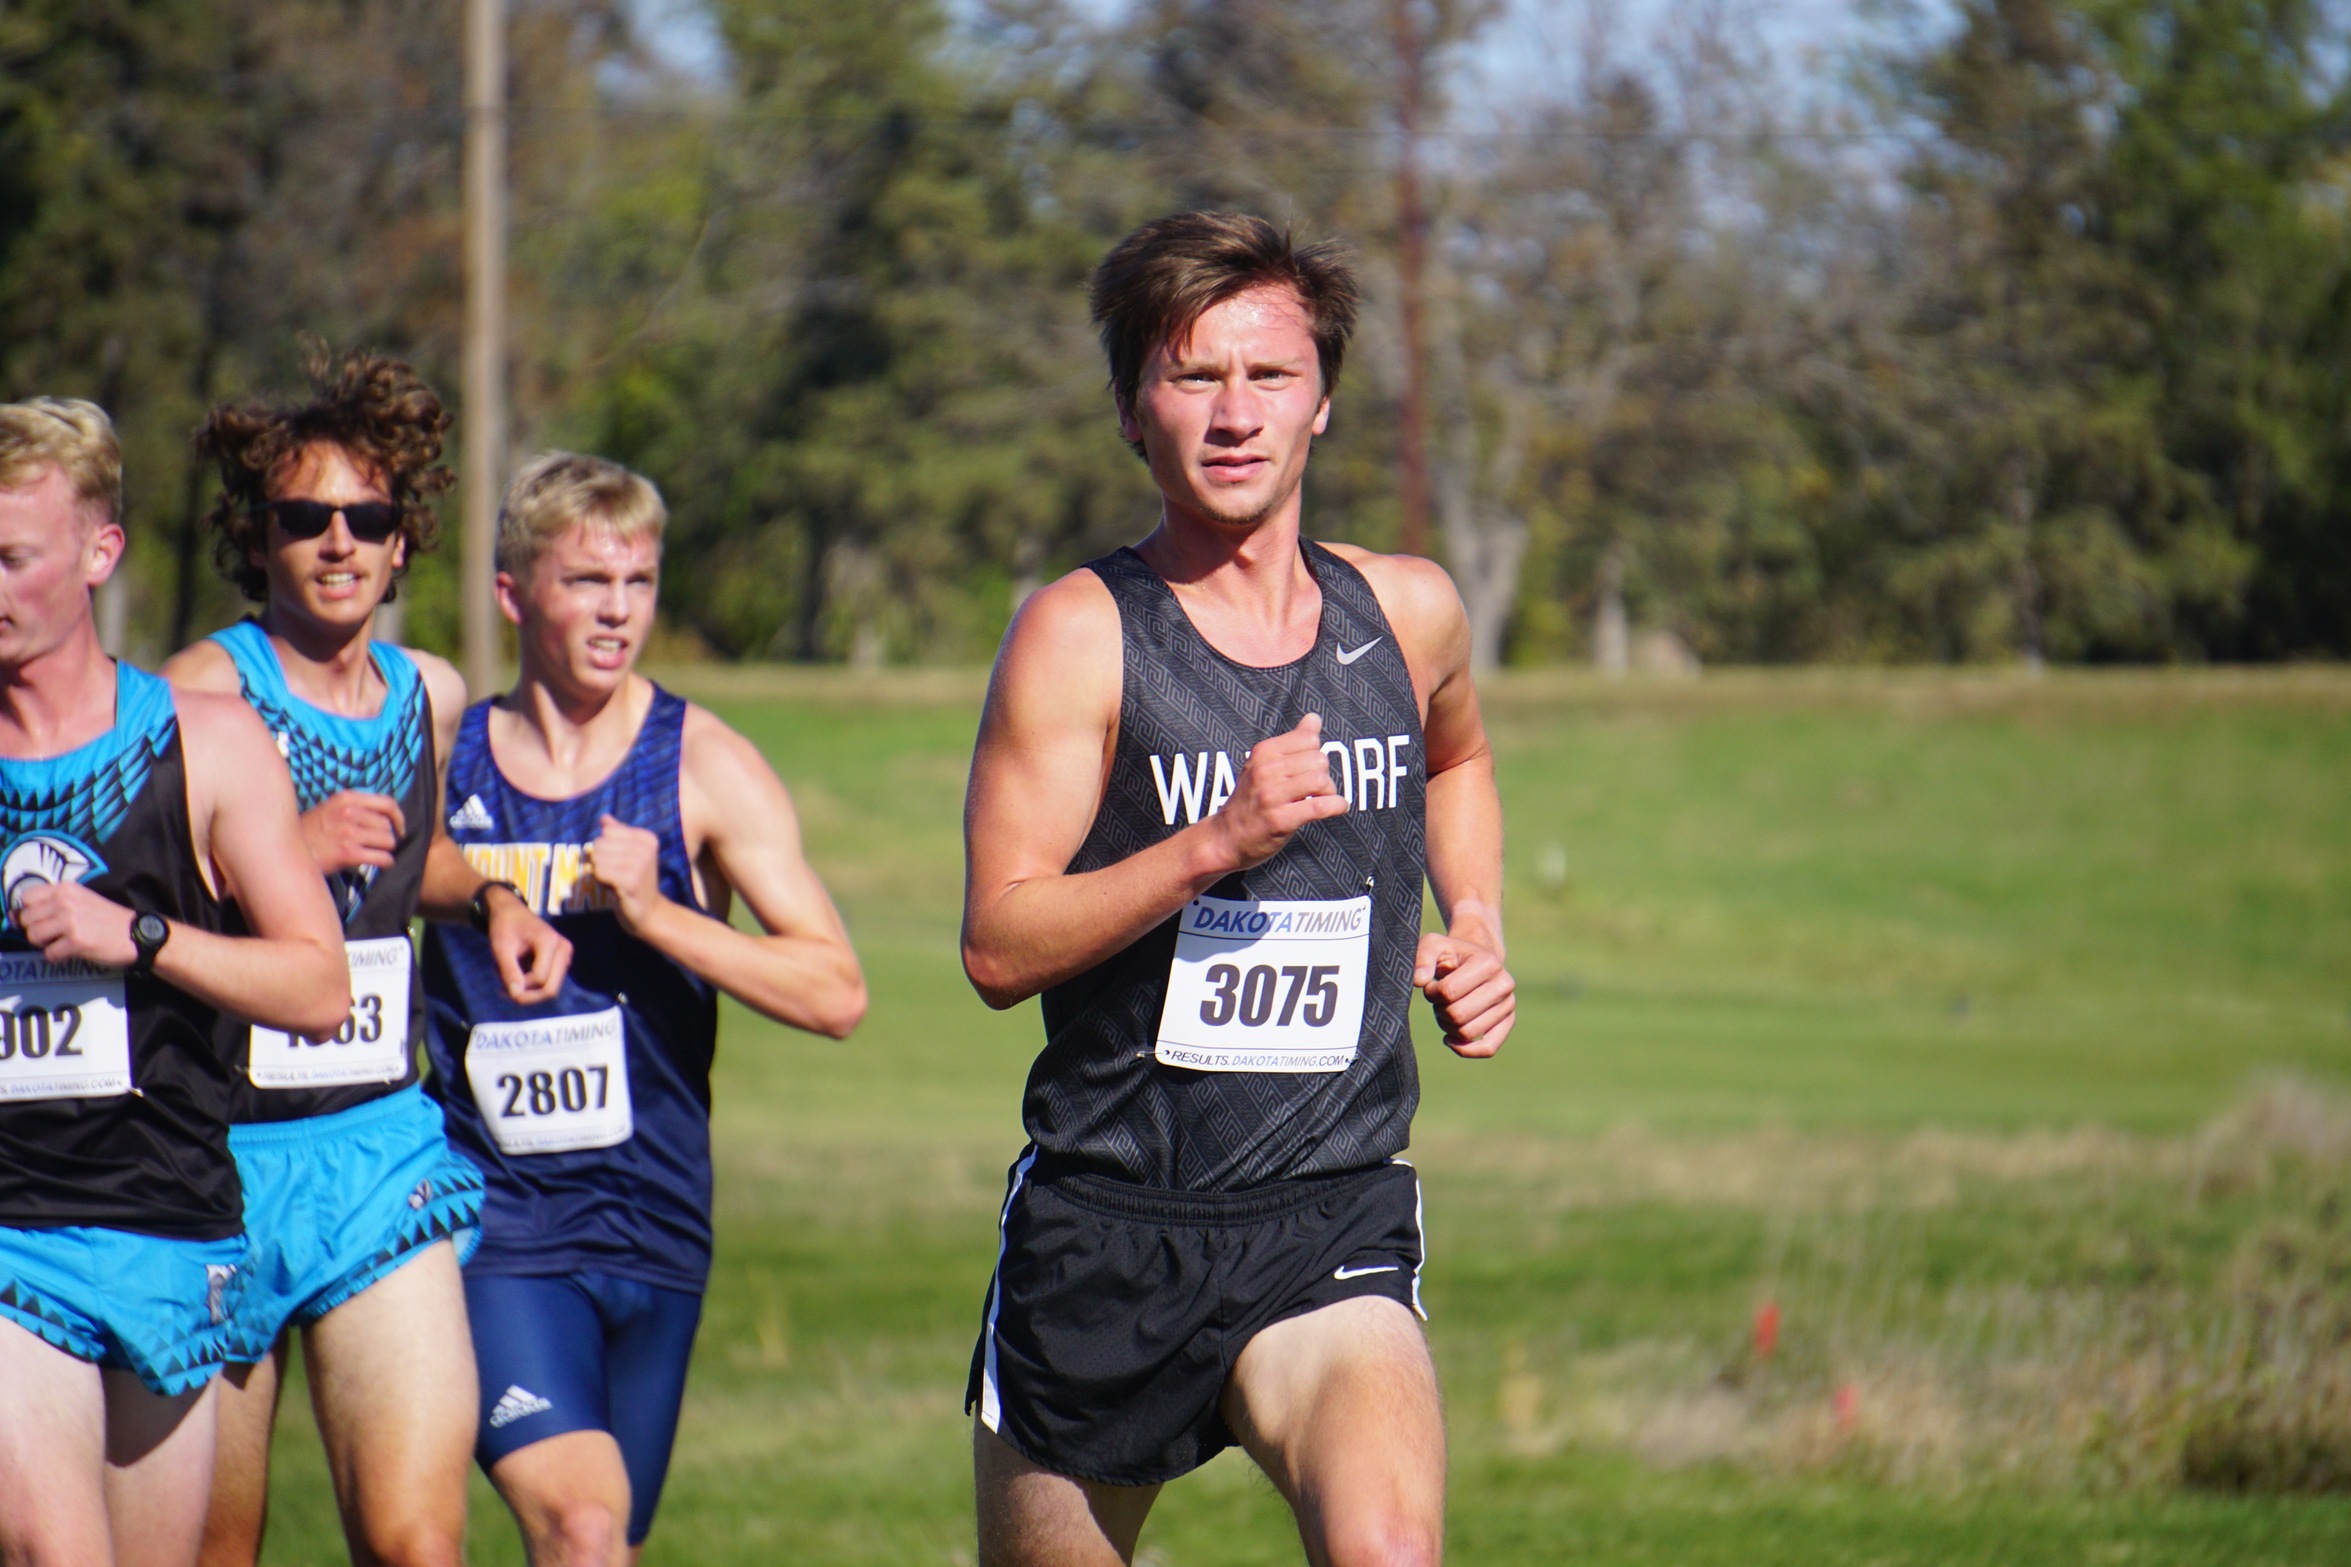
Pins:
x,y
1207,786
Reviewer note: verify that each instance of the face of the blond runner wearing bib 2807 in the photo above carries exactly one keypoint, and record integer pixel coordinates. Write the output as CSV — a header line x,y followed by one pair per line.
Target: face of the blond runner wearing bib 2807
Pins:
x,y
587,607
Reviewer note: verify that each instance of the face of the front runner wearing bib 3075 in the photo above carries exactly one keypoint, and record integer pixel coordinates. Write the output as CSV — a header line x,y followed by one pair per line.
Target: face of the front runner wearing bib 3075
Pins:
x,y
1228,415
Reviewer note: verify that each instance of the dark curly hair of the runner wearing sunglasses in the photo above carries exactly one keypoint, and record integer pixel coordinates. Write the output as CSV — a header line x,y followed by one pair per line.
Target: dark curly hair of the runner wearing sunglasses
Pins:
x,y
375,408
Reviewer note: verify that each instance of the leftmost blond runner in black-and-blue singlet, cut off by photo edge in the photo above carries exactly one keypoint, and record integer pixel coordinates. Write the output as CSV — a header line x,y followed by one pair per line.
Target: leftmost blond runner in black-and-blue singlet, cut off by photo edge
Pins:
x,y
128,814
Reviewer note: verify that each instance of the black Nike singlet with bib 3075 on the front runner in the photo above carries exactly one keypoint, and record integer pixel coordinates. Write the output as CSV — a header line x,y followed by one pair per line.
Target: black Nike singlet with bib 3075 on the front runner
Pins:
x,y
1221,1051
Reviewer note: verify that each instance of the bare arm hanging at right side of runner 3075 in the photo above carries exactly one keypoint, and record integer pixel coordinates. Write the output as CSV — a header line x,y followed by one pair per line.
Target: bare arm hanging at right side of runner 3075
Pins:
x,y
1461,971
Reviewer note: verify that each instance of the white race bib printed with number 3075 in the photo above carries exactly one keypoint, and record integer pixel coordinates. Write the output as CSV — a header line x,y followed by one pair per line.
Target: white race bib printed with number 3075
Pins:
x,y
1266,986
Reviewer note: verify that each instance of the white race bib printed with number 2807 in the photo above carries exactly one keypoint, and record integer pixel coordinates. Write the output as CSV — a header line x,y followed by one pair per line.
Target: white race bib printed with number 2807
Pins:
x,y
551,1084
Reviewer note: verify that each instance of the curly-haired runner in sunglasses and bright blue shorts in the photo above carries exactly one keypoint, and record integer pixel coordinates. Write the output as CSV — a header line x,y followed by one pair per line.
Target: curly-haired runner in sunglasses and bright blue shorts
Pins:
x,y
354,1199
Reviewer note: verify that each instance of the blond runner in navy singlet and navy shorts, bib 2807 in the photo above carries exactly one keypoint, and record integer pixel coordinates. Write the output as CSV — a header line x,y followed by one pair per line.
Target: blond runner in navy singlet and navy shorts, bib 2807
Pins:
x,y
631,821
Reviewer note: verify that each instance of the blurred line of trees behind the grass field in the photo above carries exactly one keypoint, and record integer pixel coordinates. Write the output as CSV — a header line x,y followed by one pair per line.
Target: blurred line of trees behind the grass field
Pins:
x,y
2030,339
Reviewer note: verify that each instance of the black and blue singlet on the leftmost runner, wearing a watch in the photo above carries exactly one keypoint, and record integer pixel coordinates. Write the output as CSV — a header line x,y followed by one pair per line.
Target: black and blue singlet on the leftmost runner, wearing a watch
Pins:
x,y
114,1101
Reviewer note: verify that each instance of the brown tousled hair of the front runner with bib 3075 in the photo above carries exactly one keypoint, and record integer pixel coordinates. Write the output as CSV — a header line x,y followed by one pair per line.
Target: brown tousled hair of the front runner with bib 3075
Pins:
x,y
1156,285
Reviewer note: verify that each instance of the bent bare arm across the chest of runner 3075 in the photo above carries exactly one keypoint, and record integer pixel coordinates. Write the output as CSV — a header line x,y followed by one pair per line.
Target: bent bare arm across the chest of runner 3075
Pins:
x,y
1038,779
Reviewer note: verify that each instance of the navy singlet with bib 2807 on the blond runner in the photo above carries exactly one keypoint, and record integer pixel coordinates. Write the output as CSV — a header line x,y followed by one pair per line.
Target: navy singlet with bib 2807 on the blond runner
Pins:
x,y
589,1112
